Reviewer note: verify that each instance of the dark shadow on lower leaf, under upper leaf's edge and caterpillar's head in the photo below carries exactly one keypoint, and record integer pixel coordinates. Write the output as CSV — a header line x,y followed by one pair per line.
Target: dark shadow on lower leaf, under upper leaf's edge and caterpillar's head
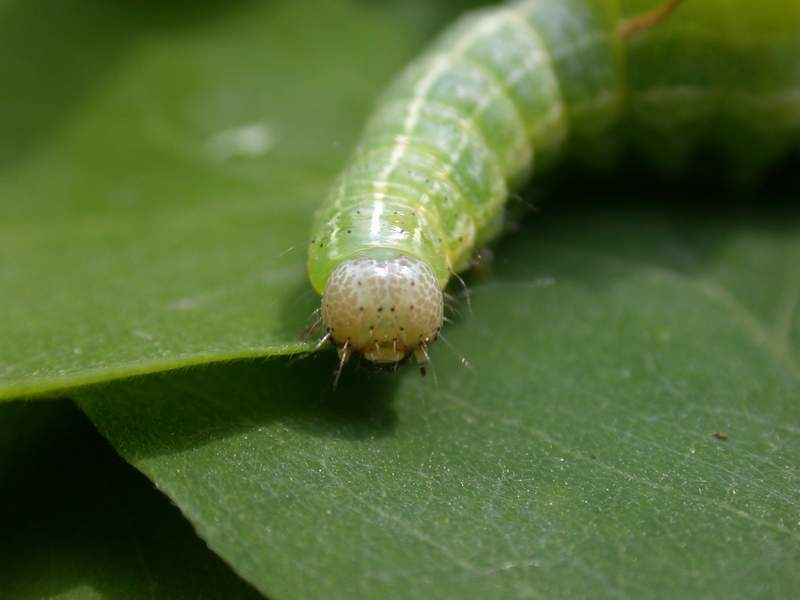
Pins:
x,y
188,408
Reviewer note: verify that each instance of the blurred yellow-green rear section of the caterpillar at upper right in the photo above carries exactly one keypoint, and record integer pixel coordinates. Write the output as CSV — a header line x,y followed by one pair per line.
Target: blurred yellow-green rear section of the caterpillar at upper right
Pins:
x,y
718,74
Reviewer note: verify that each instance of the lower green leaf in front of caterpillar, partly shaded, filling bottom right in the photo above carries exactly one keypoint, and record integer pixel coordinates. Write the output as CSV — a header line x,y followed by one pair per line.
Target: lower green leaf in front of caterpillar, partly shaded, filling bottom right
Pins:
x,y
629,427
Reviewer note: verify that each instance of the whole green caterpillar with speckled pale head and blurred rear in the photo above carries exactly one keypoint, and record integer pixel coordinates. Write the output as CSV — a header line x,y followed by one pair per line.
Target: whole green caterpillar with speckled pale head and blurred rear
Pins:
x,y
510,90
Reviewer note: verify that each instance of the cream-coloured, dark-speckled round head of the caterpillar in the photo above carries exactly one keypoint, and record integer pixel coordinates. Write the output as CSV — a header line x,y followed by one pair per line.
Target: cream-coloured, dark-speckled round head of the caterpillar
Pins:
x,y
383,309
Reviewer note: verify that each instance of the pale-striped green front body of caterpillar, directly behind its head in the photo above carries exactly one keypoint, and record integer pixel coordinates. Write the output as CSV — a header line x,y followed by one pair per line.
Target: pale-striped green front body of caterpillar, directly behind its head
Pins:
x,y
461,126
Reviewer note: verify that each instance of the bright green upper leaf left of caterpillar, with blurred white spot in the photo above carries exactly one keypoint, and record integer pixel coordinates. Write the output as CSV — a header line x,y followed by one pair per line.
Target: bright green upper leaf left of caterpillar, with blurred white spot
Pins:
x,y
158,169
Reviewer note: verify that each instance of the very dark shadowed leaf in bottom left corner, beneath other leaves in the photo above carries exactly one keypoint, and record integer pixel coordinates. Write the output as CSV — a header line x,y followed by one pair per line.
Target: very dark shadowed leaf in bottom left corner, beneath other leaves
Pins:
x,y
78,522
